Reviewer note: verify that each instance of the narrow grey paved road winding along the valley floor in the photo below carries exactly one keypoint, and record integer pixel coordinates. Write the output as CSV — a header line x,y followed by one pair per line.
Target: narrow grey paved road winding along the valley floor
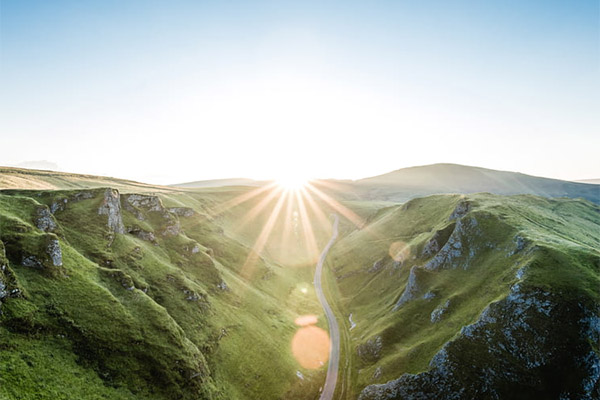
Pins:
x,y
334,330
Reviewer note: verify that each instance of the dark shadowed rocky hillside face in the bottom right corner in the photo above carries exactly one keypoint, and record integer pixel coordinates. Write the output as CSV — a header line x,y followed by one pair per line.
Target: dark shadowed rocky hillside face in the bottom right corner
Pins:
x,y
515,350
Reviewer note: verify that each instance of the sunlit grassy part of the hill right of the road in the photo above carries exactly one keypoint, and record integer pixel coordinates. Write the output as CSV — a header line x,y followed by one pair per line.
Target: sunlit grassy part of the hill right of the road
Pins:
x,y
562,236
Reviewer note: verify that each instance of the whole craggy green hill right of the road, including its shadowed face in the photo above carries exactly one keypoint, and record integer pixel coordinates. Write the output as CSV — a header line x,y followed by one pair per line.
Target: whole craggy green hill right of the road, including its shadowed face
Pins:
x,y
459,296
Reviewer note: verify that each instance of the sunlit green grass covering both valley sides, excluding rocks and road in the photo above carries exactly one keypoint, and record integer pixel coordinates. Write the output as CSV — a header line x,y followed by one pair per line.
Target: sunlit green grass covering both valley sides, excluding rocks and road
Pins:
x,y
129,318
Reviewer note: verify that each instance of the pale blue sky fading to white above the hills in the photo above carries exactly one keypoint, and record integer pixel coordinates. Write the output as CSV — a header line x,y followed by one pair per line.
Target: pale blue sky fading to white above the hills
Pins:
x,y
170,91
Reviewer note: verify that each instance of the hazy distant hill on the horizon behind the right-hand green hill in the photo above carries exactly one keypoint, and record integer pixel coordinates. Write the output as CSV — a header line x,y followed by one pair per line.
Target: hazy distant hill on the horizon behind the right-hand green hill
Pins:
x,y
407,183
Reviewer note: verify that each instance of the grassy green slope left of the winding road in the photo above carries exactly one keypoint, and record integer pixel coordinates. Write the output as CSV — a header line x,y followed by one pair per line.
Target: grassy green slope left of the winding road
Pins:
x,y
149,341
